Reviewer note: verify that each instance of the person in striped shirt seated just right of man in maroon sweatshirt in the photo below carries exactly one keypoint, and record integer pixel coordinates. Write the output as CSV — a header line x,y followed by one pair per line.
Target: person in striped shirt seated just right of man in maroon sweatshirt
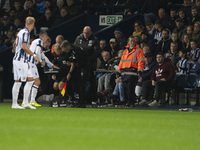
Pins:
x,y
182,63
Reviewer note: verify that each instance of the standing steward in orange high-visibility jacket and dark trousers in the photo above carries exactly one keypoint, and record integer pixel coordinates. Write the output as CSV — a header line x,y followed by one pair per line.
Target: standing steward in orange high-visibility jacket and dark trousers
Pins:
x,y
132,61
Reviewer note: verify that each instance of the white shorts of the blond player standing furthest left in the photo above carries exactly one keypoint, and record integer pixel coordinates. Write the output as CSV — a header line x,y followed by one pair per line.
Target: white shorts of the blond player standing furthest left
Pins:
x,y
21,70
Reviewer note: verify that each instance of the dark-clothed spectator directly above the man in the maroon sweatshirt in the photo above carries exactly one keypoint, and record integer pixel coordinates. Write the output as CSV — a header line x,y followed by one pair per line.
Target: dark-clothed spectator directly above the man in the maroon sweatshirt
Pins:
x,y
164,44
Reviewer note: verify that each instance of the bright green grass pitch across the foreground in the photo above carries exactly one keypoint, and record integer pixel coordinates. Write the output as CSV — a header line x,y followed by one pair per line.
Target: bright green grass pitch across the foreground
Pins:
x,y
98,129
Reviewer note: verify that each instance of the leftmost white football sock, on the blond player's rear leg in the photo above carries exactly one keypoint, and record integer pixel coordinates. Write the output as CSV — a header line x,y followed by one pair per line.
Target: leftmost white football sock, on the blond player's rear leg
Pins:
x,y
15,92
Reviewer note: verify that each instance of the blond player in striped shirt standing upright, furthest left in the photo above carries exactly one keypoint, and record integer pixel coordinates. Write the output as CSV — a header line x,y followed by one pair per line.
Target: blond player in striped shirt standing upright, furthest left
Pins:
x,y
20,65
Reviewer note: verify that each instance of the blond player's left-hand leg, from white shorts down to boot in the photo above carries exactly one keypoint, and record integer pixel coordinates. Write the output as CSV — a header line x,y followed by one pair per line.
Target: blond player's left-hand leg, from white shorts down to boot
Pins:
x,y
17,68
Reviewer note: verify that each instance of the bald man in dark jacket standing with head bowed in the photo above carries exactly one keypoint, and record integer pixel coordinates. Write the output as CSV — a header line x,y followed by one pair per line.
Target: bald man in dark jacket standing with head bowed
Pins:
x,y
90,46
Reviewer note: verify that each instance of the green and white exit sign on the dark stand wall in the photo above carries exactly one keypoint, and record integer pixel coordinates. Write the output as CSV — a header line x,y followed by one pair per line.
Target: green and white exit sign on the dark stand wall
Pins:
x,y
105,20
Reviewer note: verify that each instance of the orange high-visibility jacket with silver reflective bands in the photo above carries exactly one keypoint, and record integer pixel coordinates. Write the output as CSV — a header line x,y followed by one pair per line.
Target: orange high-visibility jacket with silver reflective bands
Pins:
x,y
133,59
